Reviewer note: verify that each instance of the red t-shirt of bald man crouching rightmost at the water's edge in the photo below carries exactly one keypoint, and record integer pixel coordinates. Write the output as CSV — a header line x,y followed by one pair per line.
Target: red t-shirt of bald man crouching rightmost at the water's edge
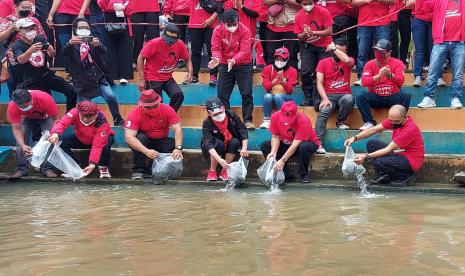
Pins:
x,y
410,142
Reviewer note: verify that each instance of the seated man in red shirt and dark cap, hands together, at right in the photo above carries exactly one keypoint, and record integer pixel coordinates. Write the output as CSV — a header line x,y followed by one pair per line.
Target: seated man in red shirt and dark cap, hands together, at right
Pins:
x,y
384,77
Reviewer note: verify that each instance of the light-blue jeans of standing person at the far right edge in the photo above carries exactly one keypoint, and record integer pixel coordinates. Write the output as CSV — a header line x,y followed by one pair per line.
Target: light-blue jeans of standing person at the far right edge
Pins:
x,y
456,52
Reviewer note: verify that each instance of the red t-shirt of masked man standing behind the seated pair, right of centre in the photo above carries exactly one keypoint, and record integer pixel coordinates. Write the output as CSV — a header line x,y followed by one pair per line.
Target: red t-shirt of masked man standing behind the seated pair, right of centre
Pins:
x,y
317,19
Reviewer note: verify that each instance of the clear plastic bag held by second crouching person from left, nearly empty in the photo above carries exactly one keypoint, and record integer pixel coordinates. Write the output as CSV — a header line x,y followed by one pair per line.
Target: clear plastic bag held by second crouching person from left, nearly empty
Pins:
x,y
62,161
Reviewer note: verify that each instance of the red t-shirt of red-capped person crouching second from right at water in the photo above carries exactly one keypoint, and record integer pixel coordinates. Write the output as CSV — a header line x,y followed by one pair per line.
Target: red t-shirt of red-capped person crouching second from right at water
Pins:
x,y
301,129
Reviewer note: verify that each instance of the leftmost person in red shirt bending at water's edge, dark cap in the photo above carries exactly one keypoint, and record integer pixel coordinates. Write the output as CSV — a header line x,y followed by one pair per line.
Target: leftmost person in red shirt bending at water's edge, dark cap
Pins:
x,y
30,112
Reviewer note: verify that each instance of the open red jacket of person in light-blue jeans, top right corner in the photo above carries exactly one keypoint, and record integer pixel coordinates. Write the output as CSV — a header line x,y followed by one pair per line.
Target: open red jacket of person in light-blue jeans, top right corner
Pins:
x,y
439,8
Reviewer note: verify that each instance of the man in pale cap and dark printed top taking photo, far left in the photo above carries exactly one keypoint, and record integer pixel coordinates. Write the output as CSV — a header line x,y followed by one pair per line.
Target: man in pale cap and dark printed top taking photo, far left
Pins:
x,y
31,52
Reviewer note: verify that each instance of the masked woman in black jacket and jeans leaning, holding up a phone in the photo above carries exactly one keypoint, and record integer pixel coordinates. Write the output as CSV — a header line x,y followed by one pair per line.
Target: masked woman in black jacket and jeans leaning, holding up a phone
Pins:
x,y
88,68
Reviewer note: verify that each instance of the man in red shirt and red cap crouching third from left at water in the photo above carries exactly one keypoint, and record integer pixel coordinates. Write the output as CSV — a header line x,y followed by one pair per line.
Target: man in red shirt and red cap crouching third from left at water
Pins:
x,y
147,130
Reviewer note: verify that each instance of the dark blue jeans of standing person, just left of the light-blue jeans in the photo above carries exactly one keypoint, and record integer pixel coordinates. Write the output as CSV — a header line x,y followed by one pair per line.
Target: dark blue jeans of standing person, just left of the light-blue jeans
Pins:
x,y
423,40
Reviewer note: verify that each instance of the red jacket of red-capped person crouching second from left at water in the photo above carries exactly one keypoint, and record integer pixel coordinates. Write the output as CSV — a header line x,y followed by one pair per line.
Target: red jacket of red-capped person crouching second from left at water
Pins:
x,y
96,134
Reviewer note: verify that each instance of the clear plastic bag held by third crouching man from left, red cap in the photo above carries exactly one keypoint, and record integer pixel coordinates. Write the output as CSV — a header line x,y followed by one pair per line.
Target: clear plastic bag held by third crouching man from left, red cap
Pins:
x,y
164,167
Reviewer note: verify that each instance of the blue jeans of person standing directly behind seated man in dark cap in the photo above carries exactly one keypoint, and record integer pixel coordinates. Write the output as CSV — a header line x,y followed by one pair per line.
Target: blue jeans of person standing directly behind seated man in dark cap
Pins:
x,y
366,38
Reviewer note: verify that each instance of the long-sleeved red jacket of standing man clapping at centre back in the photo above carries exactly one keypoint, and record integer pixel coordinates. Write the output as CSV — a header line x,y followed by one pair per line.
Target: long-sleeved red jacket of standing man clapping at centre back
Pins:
x,y
227,45
